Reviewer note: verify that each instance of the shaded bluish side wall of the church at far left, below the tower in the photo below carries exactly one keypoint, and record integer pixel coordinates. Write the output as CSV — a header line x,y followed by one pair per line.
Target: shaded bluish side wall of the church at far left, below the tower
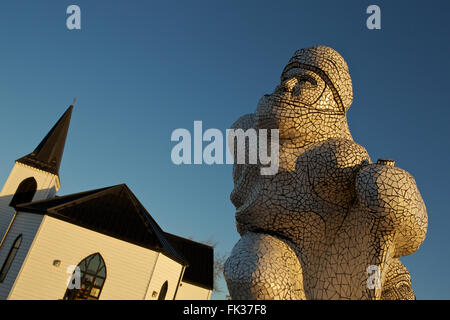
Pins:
x,y
26,224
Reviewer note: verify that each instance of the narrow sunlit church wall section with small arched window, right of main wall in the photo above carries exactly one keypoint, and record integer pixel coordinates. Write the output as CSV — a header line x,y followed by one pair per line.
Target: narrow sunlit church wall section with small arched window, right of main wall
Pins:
x,y
168,270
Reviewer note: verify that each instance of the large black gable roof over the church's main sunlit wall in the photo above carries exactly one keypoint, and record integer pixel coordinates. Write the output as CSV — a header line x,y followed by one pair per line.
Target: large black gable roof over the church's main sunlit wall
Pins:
x,y
114,211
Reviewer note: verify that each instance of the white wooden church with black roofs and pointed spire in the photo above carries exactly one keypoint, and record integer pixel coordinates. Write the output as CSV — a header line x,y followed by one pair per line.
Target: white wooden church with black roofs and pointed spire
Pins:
x,y
98,244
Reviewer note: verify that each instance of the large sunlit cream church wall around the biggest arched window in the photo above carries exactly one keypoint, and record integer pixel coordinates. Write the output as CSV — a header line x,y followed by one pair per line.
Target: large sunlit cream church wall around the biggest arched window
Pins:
x,y
129,267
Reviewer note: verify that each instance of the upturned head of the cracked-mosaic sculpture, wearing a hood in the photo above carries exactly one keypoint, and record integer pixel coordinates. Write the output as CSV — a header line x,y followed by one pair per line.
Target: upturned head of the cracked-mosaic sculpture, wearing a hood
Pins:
x,y
312,99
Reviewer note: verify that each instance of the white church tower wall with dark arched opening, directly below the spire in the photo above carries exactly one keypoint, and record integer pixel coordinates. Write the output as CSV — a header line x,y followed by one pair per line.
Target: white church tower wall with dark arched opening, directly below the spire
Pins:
x,y
47,185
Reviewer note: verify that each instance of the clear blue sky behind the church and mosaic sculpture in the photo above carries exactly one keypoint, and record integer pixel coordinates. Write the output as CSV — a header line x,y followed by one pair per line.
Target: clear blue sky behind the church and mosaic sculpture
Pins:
x,y
141,69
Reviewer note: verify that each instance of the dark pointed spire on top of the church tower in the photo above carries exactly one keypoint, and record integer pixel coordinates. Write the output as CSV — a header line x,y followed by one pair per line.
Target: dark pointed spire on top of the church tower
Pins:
x,y
48,154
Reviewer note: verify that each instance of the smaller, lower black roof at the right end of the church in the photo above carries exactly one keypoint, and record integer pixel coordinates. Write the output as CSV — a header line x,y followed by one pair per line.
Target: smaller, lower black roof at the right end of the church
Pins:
x,y
200,258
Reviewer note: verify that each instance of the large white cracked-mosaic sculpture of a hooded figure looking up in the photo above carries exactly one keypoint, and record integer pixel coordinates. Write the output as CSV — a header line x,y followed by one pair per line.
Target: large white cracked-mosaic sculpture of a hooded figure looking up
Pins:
x,y
330,224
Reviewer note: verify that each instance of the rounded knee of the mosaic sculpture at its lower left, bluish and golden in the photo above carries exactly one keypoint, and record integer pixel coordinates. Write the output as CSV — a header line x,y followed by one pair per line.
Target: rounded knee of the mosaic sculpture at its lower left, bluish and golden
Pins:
x,y
263,267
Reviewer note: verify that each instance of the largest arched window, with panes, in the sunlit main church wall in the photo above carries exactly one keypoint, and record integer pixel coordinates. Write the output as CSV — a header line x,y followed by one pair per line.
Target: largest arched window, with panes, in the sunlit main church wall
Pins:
x,y
92,273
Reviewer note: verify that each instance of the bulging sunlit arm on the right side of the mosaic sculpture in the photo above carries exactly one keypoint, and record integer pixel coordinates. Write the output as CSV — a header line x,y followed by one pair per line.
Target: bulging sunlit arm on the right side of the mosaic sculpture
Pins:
x,y
390,194
